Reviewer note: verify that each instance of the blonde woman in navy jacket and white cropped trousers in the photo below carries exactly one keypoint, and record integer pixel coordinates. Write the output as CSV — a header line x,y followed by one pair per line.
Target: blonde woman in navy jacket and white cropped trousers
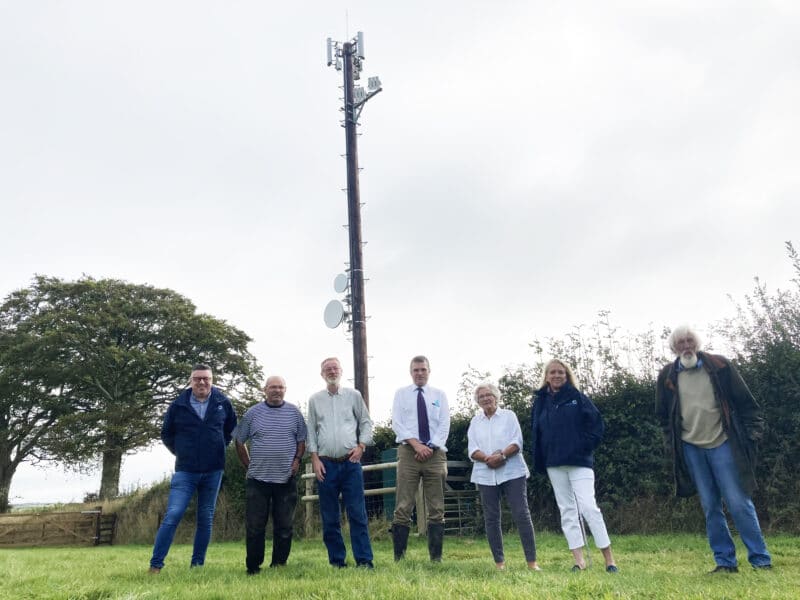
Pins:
x,y
566,428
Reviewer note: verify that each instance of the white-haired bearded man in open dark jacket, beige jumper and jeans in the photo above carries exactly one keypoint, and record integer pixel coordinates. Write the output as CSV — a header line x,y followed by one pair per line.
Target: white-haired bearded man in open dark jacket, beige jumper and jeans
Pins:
x,y
711,424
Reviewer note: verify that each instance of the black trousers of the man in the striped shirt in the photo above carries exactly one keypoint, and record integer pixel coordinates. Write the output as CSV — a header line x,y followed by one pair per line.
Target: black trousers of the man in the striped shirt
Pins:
x,y
281,500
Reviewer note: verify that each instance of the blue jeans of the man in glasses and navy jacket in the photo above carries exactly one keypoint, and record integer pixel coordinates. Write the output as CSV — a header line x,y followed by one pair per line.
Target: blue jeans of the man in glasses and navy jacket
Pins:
x,y
182,488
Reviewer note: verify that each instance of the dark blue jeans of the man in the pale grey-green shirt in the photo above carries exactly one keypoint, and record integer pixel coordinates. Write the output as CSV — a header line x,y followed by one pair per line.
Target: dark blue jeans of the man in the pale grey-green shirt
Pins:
x,y
347,478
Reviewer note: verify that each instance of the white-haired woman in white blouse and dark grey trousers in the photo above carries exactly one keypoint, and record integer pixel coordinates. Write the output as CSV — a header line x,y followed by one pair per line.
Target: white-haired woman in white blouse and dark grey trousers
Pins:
x,y
495,446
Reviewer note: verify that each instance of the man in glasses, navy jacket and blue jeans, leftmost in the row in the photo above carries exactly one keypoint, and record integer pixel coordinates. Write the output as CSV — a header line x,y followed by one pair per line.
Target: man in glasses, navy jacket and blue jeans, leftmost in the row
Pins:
x,y
197,427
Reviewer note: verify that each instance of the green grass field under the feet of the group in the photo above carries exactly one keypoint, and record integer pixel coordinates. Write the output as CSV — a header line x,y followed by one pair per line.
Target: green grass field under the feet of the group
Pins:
x,y
662,566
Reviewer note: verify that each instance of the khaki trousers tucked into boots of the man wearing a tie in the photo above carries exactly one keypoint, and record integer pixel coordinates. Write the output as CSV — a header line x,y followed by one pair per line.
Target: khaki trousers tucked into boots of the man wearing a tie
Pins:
x,y
433,473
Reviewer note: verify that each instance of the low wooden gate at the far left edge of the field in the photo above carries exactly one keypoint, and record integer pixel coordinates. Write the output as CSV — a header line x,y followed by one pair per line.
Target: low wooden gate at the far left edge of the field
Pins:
x,y
84,528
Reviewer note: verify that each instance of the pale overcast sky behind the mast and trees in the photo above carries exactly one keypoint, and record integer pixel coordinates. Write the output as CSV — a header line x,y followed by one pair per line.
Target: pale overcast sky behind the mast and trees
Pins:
x,y
528,164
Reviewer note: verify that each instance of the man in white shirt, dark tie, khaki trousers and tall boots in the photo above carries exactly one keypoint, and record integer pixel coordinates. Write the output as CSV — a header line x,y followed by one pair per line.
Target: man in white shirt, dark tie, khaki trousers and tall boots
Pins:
x,y
421,423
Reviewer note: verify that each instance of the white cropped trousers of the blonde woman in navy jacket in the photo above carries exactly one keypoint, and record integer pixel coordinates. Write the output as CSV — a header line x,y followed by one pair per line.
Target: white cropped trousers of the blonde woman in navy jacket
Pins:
x,y
574,491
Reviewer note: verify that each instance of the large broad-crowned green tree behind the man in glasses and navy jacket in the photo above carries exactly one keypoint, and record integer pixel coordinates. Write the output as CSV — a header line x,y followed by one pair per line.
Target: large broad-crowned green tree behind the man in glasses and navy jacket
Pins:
x,y
120,352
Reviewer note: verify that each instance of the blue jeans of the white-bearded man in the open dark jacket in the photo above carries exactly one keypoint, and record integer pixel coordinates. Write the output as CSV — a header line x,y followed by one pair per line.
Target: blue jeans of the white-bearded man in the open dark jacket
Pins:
x,y
716,477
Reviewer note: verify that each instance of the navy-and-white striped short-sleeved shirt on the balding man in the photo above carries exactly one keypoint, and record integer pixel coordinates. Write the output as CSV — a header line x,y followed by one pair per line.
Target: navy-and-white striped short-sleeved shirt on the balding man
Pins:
x,y
274,433
